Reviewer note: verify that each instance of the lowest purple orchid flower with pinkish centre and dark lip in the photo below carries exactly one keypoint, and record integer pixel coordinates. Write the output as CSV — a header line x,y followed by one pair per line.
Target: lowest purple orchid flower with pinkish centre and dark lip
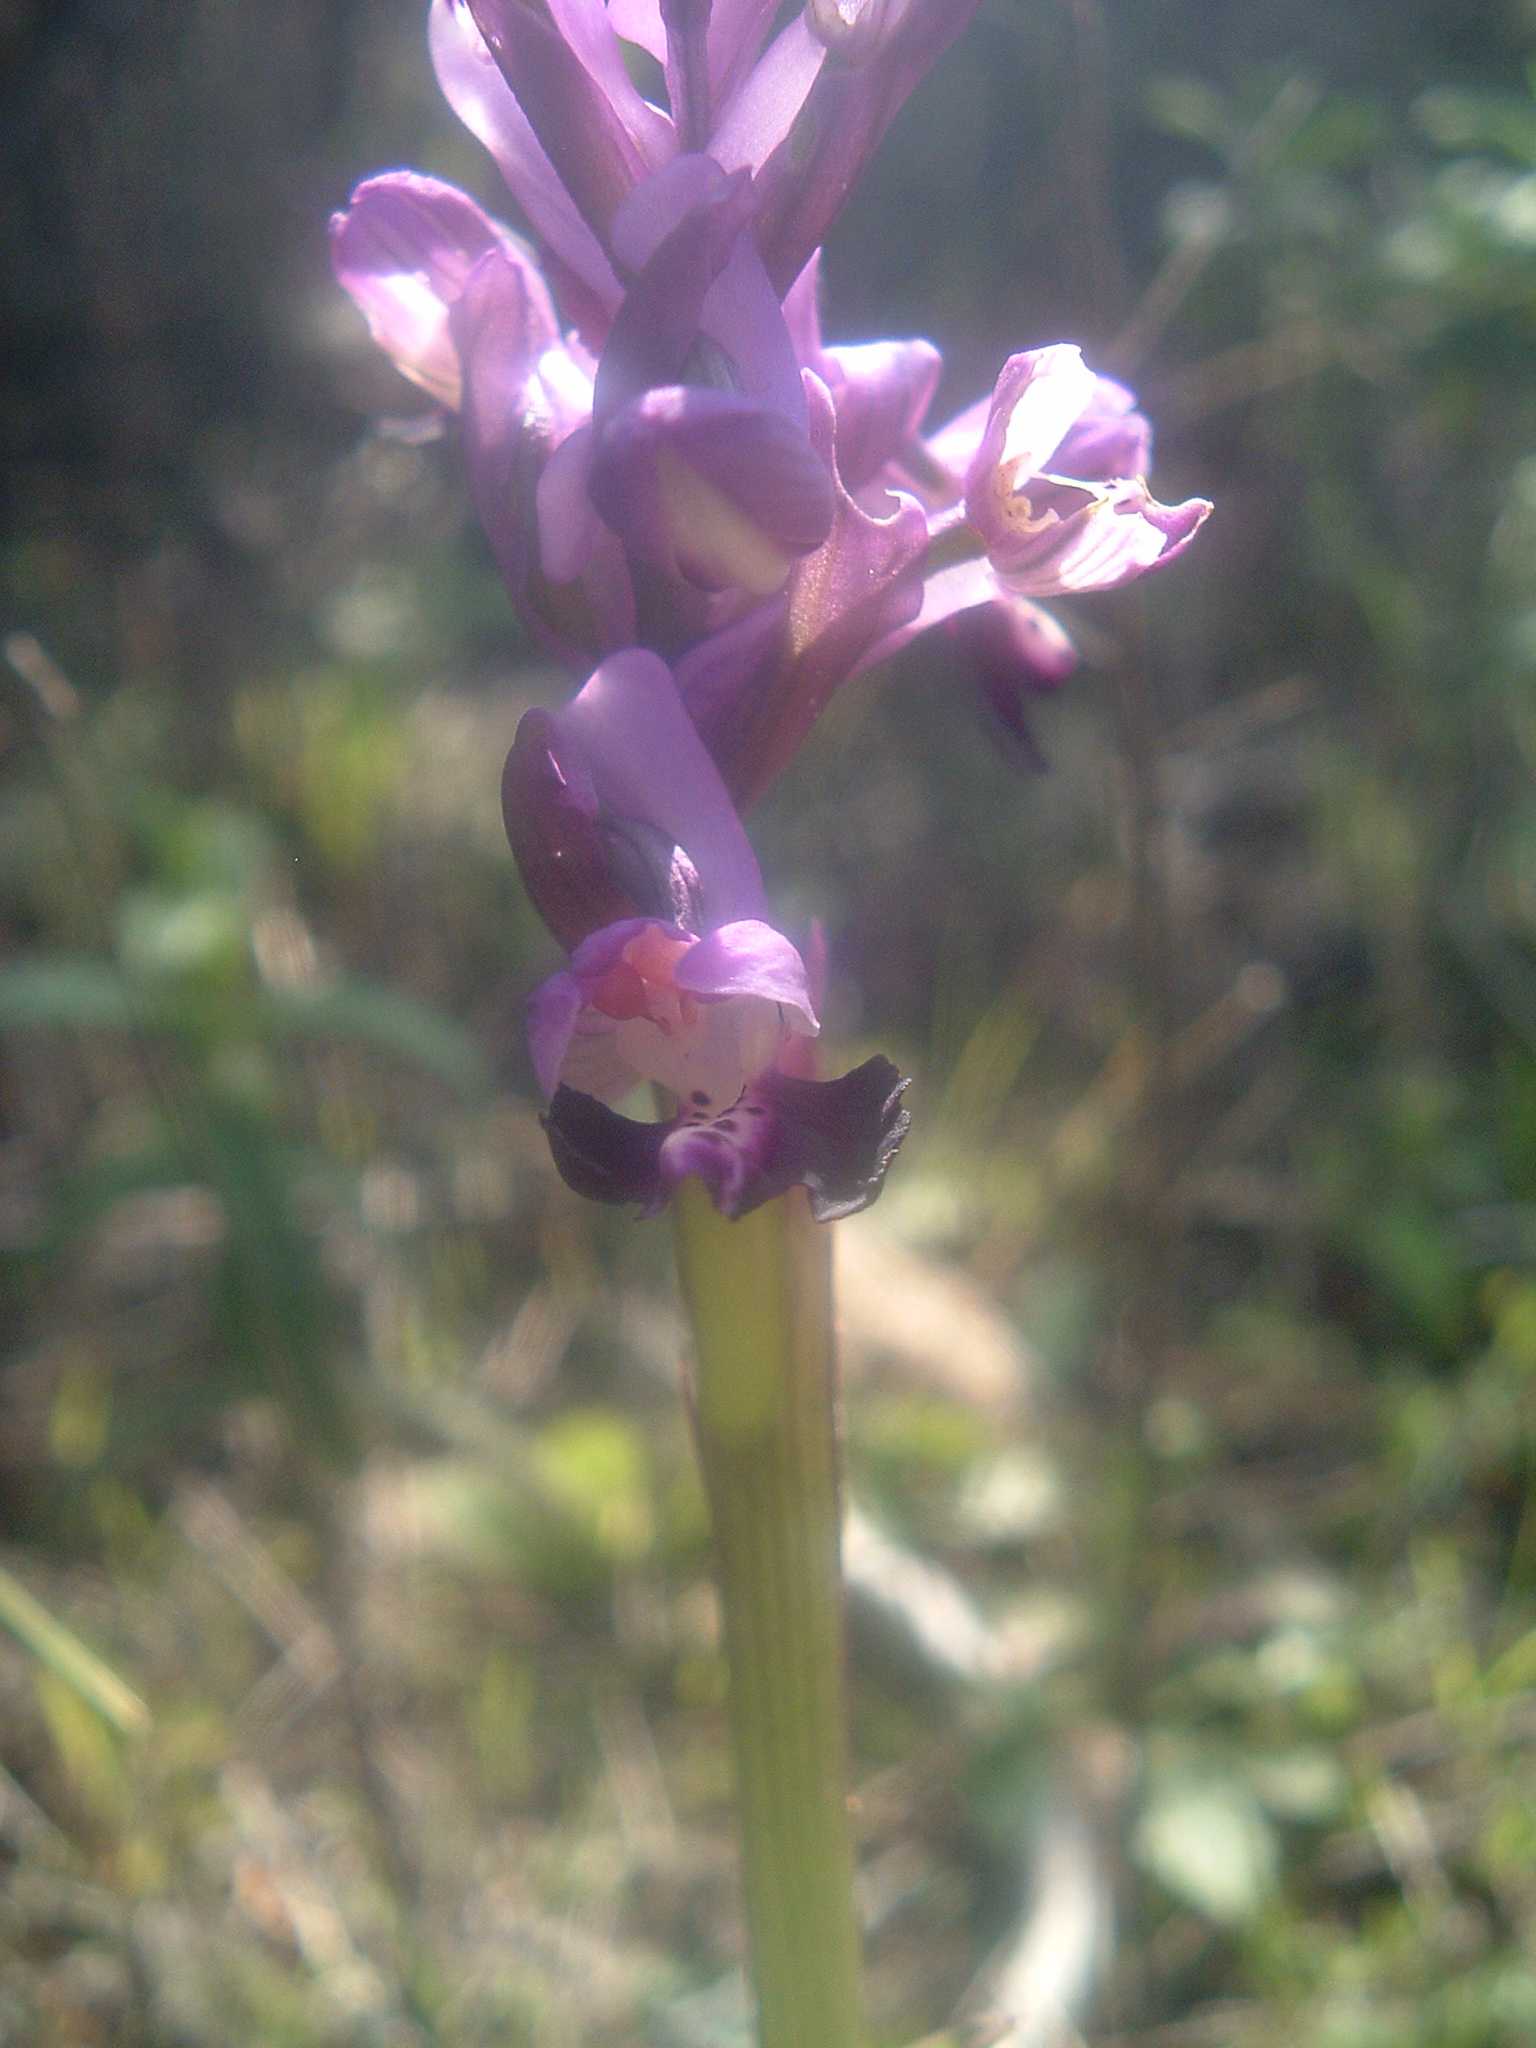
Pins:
x,y
615,806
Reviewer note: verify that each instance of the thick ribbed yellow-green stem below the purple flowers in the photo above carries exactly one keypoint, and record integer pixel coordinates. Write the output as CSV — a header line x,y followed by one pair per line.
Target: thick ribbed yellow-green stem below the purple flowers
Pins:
x,y
765,1410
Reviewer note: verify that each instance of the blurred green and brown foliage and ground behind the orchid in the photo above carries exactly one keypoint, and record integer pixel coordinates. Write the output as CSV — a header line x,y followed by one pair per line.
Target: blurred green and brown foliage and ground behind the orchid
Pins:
x,y
359,1674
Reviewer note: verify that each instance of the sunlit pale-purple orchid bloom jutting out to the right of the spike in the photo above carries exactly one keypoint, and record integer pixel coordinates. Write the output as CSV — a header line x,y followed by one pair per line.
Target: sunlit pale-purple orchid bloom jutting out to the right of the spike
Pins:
x,y
1035,493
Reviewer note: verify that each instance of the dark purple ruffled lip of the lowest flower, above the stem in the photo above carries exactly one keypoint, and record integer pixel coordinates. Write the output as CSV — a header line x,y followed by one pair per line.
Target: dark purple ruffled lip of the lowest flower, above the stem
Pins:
x,y
837,1140
